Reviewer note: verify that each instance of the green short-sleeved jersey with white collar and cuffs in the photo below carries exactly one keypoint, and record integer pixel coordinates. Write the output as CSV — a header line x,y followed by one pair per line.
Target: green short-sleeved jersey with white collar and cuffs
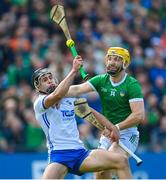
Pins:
x,y
115,97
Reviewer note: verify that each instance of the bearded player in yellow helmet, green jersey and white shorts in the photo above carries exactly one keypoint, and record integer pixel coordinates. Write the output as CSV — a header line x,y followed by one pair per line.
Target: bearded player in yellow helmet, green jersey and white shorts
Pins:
x,y
121,98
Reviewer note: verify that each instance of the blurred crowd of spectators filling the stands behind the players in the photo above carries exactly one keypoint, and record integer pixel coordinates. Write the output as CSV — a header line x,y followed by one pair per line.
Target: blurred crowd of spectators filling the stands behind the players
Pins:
x,y
30,40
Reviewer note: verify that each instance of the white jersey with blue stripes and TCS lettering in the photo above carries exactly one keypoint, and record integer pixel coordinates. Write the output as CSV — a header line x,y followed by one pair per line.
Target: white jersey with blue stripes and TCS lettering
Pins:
x,y
58,124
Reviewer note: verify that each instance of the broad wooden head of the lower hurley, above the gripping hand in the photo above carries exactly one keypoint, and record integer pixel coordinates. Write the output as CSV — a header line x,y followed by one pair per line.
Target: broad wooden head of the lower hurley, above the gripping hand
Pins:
x,y
83,110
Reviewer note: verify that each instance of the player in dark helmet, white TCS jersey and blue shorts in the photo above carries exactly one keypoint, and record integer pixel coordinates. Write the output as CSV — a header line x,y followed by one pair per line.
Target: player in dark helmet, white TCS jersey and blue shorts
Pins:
x,y
55,113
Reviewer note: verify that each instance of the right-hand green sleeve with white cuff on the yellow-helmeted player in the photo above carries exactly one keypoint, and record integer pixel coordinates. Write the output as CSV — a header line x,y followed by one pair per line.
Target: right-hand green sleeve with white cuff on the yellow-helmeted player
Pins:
x,y
135,91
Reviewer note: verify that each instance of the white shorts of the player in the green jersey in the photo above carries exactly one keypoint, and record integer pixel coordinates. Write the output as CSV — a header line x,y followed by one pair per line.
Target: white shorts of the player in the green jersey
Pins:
x,y
129,137
